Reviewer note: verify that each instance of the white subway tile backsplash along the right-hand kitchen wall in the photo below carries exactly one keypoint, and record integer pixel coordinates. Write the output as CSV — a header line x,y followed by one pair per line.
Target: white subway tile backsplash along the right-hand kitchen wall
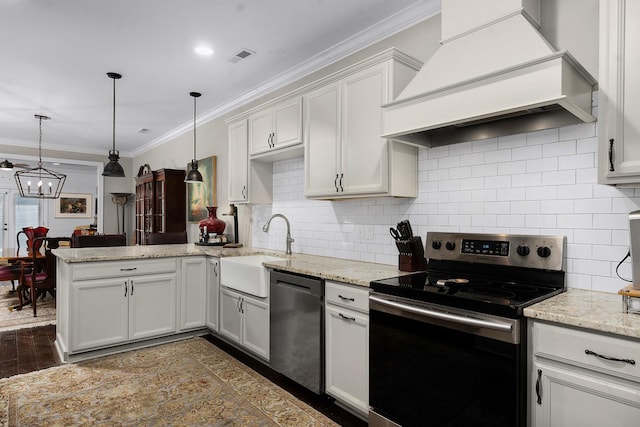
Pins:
x,y
542,182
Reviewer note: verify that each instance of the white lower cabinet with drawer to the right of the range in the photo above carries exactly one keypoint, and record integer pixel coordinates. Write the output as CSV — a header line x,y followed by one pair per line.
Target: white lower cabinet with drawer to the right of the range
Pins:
x,y
582,378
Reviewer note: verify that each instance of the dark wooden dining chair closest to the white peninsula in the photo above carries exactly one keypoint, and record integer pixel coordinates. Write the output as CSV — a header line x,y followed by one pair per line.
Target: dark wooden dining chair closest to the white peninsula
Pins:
x,y
38,275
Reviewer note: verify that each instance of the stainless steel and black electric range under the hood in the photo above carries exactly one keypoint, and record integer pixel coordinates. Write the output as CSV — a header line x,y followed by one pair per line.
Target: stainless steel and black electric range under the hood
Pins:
x,y
447,346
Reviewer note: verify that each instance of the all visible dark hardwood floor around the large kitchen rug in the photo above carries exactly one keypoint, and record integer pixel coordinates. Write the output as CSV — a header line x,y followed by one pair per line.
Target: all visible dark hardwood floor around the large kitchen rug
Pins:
x,y
32,349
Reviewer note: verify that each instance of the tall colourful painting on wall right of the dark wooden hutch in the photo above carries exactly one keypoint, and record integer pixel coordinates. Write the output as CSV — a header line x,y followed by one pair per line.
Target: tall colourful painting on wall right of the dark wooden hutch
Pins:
x,y
202,194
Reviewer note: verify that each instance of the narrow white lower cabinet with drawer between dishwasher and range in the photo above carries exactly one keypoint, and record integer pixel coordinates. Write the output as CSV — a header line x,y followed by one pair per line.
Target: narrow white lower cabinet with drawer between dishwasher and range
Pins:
x,y
347,345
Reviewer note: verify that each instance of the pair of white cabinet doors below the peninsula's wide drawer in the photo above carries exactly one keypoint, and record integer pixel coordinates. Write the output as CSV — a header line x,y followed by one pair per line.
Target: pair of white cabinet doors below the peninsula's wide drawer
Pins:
x,y
117,310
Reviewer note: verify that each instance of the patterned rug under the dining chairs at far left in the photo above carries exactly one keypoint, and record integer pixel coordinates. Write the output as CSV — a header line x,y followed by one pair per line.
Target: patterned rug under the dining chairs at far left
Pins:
x,y
10,320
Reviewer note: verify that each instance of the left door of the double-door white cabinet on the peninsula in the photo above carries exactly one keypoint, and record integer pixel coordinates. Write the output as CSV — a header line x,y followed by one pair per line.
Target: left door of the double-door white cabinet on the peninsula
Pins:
x,y
99,314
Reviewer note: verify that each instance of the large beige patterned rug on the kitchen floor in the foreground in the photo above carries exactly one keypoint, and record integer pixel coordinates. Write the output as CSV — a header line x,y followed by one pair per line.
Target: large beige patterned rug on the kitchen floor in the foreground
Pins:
x,y
187,383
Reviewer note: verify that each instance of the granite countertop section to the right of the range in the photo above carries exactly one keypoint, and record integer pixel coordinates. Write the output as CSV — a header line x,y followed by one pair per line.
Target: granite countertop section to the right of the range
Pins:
x,y
598,311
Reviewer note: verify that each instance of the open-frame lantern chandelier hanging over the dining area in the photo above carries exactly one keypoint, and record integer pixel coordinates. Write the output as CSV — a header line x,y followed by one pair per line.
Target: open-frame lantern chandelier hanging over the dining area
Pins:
x,y
40,182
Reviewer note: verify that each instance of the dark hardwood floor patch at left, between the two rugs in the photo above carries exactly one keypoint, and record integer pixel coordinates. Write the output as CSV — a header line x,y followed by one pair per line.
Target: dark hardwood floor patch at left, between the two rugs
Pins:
x,y
26,350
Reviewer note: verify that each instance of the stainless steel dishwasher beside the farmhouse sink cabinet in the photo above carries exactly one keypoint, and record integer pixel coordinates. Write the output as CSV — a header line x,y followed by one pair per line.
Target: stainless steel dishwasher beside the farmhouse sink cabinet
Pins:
x,y
297,328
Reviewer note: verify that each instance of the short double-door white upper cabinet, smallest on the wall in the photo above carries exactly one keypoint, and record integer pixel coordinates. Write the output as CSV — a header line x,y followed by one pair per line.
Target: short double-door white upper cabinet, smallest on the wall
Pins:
x,y
276,128
